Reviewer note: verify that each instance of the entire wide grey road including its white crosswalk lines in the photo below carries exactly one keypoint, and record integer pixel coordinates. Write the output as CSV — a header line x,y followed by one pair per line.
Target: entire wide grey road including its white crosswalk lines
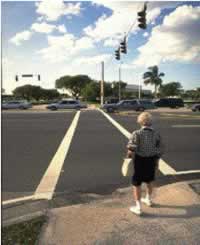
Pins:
x,y
56,152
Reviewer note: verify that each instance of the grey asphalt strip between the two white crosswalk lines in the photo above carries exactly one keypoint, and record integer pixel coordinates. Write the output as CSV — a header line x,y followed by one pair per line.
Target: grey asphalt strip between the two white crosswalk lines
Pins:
x,y
95,157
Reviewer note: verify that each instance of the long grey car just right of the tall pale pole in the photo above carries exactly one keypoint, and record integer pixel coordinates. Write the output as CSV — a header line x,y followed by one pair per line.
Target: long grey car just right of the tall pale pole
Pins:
x,y
128,105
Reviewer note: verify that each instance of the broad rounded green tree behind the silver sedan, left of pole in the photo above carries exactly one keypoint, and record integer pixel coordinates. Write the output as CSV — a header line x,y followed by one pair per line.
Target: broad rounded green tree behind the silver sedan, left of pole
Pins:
x,y
74,83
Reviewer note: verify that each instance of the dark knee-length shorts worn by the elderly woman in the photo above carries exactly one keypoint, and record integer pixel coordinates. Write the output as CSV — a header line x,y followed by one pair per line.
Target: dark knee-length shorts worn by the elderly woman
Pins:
x,y
144,169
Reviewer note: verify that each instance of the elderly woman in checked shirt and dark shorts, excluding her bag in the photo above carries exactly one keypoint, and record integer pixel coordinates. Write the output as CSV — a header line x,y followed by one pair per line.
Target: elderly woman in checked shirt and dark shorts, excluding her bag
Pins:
x,y
146,145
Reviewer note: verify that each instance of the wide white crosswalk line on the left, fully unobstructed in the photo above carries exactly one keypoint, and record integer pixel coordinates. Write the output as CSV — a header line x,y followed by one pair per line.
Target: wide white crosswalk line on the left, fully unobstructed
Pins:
x,y
48,183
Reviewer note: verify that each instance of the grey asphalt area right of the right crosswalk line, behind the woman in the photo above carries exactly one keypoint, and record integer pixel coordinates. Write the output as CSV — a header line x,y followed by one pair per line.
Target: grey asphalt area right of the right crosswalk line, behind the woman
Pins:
x,y
181,136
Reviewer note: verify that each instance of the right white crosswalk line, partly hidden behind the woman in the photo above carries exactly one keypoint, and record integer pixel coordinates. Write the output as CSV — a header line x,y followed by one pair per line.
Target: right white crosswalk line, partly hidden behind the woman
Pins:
x,y
163,166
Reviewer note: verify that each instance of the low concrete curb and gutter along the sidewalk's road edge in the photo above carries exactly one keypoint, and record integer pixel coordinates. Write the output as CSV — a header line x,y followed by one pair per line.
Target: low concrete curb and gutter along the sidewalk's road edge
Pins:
x,y
81,199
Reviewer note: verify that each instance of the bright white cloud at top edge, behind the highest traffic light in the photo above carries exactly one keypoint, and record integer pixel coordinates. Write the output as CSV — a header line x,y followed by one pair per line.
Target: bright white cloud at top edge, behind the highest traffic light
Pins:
x,y
124,14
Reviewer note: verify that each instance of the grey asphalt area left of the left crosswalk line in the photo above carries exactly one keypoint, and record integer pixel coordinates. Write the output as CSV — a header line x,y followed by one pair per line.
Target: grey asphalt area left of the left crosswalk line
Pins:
x,y
29,141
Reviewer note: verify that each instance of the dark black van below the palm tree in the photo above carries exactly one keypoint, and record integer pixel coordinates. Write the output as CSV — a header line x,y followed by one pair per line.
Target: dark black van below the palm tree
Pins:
x,y
169,102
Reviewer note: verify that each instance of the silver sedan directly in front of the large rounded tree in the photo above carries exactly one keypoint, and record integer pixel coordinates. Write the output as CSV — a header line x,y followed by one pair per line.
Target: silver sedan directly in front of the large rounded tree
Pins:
x,y
66,104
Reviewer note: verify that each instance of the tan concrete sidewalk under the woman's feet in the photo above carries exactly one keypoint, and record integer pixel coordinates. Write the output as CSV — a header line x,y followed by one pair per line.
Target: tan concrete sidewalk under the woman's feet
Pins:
x,y
174,220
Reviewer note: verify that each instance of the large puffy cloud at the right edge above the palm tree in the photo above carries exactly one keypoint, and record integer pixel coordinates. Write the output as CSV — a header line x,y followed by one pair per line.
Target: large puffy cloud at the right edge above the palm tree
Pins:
x,y
177,39
